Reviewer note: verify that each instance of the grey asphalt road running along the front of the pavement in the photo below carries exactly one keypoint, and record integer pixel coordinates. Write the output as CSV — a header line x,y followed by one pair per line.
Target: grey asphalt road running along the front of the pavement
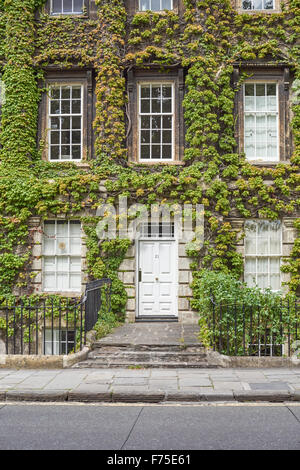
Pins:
x,y
128,427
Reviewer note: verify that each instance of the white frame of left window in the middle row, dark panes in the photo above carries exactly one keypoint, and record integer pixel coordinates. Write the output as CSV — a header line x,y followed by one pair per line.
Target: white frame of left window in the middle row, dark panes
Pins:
x,y
49,116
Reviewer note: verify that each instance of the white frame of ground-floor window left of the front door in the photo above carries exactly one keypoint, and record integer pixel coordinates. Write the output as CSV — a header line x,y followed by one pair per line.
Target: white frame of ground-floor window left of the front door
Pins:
x,y
57,255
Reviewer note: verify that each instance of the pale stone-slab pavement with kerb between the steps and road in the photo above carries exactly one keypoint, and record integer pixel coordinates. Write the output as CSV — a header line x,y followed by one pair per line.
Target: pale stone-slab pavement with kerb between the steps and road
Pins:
x,y
150,385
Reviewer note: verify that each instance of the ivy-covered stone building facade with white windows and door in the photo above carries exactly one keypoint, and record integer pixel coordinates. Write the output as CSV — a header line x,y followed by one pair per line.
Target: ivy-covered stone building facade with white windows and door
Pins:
x,y
167,102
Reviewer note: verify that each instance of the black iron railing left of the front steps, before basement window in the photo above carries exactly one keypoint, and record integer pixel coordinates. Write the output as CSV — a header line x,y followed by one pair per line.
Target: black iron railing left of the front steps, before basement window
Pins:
x,y
52,325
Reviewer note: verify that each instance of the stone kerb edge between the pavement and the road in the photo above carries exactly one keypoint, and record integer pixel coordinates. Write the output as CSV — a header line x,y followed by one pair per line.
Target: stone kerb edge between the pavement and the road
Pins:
x,y
148,396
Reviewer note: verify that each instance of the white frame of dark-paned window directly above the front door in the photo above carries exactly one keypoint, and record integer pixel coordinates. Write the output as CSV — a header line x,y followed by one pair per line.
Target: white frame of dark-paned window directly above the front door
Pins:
x,y
172,114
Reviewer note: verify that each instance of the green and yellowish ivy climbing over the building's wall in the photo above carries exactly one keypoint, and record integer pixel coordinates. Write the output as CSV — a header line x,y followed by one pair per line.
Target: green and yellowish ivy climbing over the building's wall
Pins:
x,y
208,40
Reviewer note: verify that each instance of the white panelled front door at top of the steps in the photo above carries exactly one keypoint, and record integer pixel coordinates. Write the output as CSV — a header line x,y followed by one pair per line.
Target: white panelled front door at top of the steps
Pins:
x,y
157,278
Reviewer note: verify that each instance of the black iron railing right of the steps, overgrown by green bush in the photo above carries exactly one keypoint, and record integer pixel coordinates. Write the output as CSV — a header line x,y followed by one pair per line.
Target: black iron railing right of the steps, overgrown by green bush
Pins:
x,y
242,329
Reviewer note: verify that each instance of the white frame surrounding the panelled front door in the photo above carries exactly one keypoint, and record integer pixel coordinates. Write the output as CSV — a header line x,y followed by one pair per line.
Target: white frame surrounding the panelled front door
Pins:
x,y
176,275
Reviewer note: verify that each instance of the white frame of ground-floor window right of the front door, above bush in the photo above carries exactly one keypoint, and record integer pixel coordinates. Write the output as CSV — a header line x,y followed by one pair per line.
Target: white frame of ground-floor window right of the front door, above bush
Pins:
x,y
268,256
